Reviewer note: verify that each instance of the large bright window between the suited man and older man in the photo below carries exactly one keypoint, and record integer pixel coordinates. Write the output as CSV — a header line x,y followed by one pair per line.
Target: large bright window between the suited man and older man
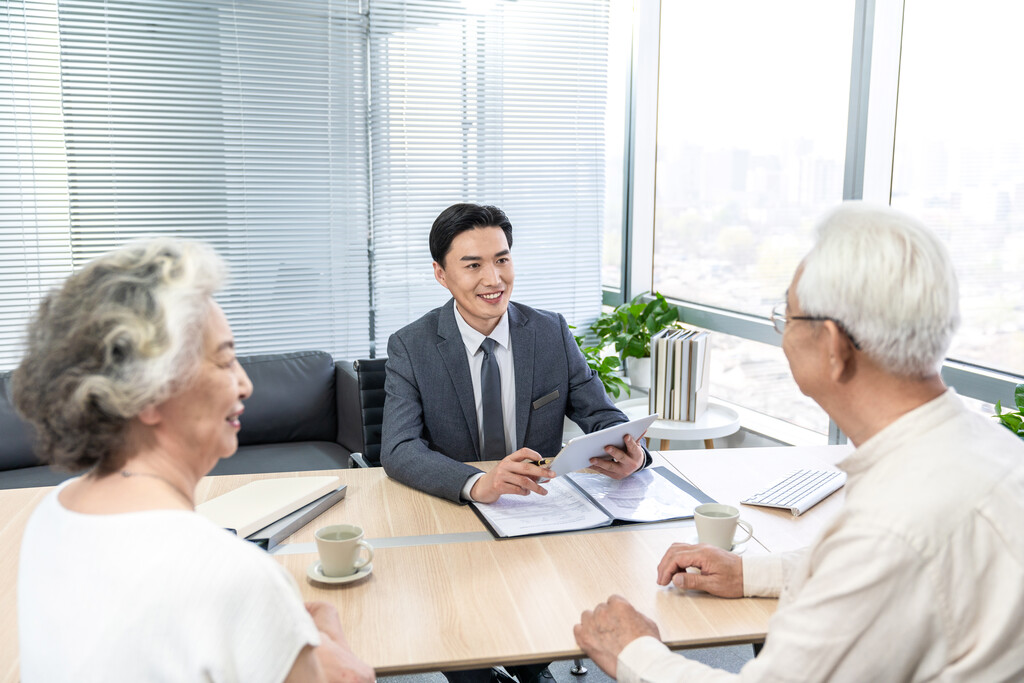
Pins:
x,y
752,131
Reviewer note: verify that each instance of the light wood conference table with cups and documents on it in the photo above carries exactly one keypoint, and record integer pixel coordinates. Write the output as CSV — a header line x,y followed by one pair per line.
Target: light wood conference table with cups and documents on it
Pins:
x,y
444,594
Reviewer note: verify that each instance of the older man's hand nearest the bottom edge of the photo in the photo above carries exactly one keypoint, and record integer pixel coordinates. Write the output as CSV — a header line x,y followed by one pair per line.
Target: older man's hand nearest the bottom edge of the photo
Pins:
x,y
611,627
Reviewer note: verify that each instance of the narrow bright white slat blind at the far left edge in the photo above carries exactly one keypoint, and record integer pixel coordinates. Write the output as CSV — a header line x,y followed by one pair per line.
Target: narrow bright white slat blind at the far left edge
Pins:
x,y
35,251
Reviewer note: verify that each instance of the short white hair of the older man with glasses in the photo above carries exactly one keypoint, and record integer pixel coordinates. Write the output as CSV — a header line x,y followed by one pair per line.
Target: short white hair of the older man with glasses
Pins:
x,y
890,284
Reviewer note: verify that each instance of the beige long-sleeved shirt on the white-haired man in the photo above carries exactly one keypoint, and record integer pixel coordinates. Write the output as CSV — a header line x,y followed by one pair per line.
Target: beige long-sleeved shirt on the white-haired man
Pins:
x,y
920,578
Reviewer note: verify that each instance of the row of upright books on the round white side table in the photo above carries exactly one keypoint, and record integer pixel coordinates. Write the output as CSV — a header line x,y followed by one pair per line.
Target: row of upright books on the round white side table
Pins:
x,y
679,372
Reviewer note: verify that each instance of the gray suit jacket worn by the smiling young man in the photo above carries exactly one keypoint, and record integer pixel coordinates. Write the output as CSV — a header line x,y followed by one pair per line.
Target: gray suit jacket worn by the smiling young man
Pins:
x,y
431,425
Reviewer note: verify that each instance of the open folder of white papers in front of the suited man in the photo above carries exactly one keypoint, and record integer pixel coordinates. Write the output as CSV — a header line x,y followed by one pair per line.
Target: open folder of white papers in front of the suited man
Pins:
x,y
584,500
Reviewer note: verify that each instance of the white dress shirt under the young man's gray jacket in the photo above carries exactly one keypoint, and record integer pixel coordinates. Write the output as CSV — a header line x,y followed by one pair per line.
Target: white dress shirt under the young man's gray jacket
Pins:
x,y
503,354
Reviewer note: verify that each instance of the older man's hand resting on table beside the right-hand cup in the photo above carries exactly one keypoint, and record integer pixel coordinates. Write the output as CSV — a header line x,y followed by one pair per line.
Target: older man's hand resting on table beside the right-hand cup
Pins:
x,y
721,572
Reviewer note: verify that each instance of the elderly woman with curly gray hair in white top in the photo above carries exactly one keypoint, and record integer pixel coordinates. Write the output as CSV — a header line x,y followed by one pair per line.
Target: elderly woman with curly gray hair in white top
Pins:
x,y
132,375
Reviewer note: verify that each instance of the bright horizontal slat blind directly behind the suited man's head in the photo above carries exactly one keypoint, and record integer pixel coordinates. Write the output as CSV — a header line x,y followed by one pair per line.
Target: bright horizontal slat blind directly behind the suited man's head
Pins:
x,y
492,102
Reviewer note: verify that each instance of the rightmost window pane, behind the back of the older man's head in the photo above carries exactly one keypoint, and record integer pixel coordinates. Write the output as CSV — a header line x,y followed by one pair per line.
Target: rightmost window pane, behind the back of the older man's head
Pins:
x,y
959,162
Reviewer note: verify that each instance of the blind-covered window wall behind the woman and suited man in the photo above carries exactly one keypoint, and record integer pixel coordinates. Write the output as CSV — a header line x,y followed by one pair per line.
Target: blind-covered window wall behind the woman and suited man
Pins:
x,y
312,143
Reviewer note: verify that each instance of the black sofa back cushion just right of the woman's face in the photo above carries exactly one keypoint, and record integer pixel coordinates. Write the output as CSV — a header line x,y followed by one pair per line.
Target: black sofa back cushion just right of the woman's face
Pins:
x,y
293,399
